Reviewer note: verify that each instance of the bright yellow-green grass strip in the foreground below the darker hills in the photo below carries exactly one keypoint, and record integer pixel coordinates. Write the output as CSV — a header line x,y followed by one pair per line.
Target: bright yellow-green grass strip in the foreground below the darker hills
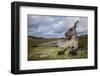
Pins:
x,y
50,53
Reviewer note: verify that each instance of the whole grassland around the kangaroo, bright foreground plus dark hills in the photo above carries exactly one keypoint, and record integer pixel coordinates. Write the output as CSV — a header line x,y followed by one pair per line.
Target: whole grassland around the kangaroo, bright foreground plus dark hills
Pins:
x,y
51,53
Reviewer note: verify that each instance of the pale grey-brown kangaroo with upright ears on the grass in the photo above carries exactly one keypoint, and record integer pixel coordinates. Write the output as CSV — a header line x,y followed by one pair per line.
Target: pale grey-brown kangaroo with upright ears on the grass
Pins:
x,y
70,41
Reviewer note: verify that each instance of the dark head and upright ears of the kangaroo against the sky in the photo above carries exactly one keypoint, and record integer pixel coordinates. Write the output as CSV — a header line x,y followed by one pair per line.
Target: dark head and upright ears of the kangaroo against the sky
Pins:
x,y
72,31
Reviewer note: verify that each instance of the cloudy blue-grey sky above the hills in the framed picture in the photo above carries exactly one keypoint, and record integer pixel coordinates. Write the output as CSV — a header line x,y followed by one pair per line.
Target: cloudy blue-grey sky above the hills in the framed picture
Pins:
x,y
54,26
